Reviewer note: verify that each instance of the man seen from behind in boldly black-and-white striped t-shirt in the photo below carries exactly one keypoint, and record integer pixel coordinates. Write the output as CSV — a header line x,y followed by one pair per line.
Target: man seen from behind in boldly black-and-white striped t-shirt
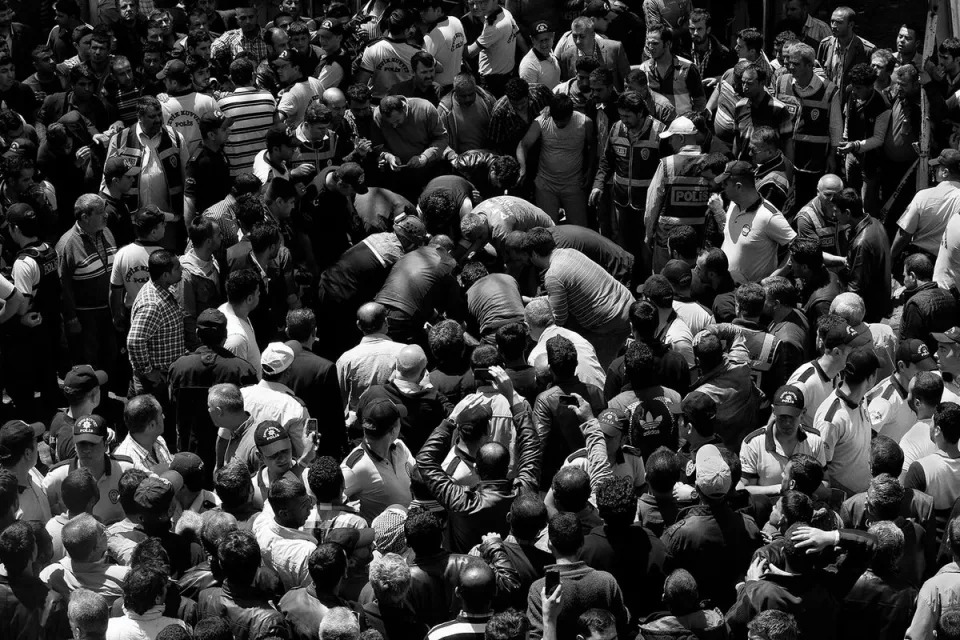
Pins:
x,y
252,111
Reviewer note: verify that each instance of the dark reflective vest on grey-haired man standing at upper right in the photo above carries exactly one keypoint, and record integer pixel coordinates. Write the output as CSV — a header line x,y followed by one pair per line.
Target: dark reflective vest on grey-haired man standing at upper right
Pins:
x,y
811,135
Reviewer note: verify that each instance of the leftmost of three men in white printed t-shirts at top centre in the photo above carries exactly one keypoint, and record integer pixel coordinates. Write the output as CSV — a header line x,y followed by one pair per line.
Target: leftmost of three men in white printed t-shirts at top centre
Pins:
x,y
387,62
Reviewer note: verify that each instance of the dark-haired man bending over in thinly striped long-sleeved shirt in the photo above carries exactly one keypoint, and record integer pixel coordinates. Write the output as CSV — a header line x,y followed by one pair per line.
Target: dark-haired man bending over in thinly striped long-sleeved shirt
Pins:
x,y
582,295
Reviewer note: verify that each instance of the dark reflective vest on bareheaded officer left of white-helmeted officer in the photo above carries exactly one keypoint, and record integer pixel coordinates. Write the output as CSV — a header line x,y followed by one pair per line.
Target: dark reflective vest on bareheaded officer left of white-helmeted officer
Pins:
x,y
634,163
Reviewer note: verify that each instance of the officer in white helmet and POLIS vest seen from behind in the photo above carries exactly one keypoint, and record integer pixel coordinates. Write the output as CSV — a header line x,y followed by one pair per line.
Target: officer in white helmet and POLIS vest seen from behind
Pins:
x,y
677,194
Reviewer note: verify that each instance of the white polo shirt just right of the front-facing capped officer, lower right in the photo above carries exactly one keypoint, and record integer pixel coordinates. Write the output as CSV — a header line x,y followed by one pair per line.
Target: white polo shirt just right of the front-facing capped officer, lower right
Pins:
x,y
846,434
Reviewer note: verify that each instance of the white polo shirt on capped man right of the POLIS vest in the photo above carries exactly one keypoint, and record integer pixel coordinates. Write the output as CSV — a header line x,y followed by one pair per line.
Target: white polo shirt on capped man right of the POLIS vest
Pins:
x,y
751,239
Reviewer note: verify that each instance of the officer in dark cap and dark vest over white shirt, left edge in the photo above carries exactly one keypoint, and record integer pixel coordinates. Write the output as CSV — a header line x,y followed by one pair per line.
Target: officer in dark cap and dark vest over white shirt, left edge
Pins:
x,y
31,338
